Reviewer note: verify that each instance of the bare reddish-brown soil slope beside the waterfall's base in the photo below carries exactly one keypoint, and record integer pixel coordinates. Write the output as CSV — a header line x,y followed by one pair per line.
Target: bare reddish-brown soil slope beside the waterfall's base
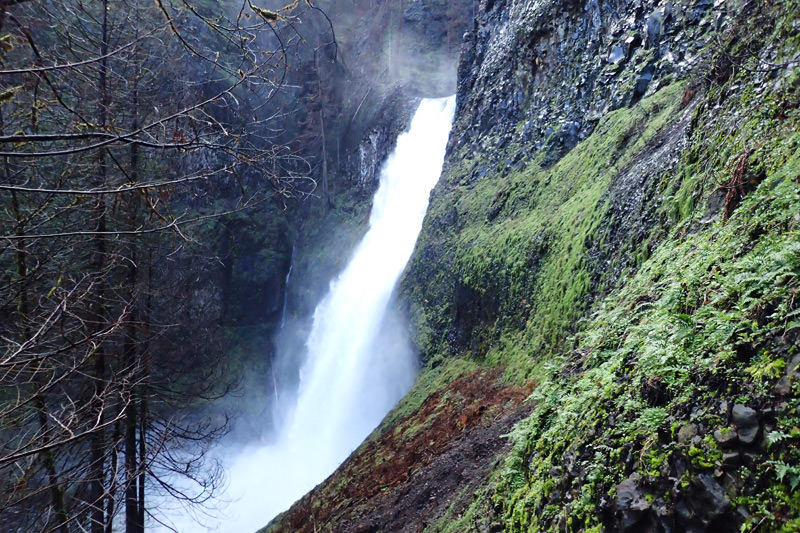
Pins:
x,y
428,462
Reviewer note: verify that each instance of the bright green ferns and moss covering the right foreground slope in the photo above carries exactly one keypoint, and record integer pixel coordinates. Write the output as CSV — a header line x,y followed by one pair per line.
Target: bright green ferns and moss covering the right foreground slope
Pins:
x,y
706,293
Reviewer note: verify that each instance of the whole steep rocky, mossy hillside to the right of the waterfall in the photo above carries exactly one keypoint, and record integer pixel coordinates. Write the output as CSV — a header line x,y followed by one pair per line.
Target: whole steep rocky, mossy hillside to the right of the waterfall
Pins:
x,y
605,291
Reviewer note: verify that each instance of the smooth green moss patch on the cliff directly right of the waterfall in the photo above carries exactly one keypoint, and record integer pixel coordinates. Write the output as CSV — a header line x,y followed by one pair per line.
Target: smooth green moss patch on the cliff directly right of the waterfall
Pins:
x,y
521,248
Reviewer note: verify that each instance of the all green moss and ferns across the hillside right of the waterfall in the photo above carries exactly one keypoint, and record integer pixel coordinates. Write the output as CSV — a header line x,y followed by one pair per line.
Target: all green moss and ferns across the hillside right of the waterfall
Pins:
x,y
701,318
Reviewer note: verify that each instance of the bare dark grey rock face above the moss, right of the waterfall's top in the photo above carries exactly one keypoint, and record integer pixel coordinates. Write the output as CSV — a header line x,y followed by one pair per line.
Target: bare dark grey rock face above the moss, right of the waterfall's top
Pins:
x,y
542,74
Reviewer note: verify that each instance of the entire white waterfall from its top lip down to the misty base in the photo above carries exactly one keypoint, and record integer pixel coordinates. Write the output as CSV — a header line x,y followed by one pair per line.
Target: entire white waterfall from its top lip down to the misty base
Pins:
x,y
356,369
